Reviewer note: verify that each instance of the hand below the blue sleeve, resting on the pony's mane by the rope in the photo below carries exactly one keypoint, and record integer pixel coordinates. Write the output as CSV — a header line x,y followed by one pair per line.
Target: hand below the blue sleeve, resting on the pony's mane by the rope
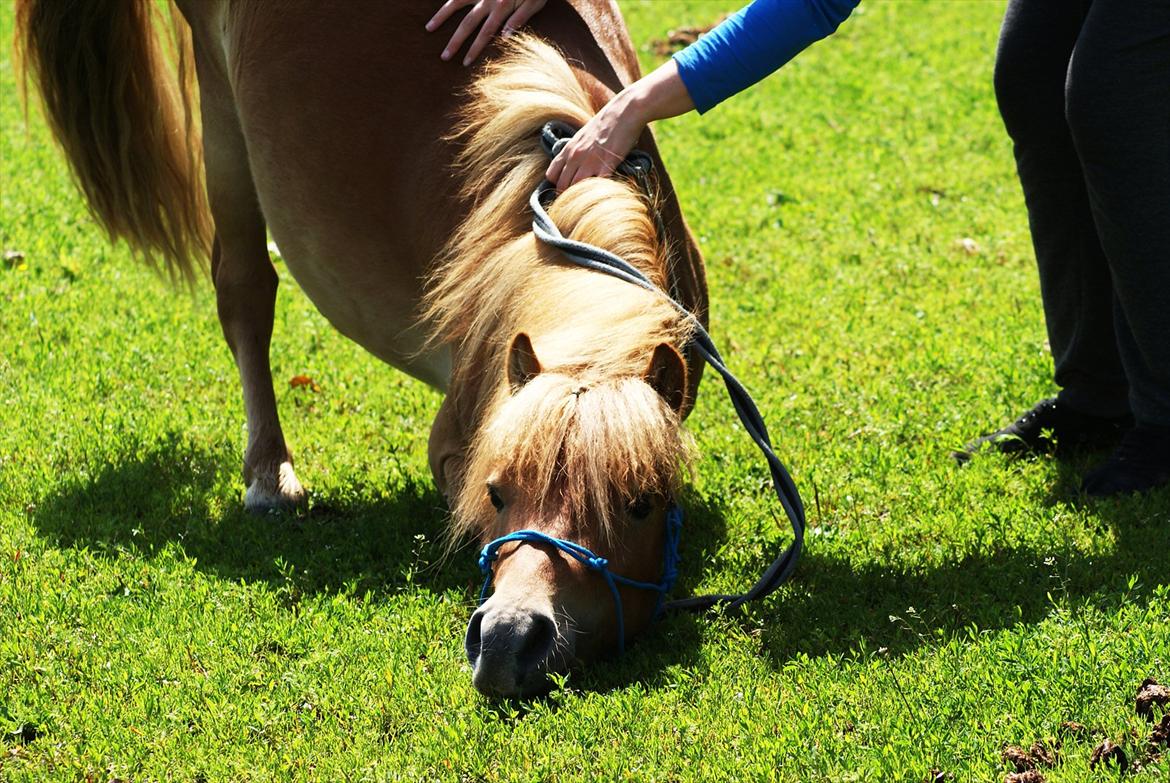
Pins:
x,y
600,147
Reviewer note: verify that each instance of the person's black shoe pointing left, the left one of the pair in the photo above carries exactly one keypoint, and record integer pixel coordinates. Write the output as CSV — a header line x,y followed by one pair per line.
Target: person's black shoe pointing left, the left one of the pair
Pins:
x,y
1051,428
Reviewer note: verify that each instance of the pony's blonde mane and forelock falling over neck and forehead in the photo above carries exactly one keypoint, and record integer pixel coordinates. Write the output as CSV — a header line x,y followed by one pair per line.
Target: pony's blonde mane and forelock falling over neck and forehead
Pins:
x,y
588,431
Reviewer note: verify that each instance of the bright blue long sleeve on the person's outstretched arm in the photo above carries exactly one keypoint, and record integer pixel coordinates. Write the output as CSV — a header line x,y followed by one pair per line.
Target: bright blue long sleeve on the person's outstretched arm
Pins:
x,y
753,44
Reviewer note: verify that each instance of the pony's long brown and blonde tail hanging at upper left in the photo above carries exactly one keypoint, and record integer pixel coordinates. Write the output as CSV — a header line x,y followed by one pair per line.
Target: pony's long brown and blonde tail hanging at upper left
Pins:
x,y
125,119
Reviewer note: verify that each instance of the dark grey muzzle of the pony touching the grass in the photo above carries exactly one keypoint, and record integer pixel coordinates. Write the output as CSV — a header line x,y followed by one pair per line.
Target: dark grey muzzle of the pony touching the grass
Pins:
x,y
510,650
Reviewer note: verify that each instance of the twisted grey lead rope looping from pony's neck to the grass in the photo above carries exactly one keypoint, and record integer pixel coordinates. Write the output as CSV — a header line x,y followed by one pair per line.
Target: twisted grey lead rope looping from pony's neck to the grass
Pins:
x,y
554,136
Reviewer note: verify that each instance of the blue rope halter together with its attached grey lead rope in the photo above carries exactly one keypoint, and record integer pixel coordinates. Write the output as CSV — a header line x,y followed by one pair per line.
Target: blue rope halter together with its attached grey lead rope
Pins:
x,y
639,166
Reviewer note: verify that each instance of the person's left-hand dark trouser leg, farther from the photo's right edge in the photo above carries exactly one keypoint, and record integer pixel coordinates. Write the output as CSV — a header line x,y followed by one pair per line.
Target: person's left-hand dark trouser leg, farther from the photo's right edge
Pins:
x,y
1036,46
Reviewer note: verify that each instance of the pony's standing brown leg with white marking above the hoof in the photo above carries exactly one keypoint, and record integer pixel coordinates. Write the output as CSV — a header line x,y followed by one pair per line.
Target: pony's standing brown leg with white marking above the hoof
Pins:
x,y
246,296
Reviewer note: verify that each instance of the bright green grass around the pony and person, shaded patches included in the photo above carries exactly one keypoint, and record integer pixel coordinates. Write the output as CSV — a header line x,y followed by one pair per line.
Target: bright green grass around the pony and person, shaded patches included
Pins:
x,y
150,629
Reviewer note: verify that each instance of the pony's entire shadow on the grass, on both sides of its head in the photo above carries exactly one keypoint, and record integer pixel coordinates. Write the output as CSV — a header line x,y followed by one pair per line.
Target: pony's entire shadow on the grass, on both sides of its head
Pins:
x,y
167,498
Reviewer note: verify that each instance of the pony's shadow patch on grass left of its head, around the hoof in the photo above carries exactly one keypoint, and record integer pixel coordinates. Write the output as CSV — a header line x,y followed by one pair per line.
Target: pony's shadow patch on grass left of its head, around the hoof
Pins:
x,y
155,498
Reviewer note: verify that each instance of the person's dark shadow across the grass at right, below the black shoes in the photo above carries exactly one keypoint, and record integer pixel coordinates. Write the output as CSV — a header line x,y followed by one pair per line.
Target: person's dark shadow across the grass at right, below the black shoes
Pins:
x,y
839,608
